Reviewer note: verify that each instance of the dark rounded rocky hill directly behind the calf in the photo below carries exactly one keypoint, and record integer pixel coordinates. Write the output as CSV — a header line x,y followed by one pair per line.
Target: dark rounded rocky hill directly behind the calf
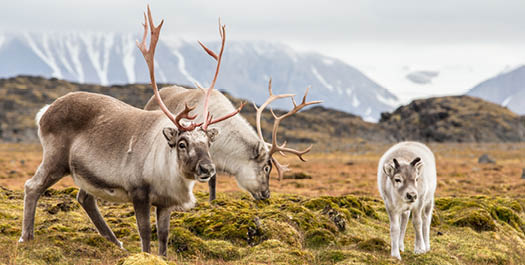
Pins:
x,y
454,119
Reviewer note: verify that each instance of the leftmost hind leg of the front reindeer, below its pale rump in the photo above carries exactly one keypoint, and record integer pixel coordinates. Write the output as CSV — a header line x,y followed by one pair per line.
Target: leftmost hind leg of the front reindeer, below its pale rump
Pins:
x,y
44,178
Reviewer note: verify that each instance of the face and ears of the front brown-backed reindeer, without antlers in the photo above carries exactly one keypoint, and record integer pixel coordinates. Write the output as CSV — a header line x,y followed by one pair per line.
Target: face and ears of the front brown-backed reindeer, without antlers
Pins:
x,y
193,151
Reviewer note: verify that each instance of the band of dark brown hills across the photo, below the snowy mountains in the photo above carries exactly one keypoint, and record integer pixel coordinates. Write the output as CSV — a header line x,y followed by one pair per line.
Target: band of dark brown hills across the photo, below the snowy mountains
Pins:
x,y
456,119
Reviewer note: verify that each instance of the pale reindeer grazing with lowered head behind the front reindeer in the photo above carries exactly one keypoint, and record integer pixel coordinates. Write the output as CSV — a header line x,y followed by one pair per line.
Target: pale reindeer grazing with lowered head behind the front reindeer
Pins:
x,y
238,150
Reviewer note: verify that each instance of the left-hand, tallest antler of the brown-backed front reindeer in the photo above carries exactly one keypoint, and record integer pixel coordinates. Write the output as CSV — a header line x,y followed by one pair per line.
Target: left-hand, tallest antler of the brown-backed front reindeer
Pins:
x,y
149,55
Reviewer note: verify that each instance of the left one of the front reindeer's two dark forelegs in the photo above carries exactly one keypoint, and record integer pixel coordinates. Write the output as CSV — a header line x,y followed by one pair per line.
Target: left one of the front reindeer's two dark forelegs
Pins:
x,y
142,206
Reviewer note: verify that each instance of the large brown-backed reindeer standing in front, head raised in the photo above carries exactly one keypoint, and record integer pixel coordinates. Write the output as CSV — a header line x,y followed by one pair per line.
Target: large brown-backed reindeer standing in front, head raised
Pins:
x,y
117,152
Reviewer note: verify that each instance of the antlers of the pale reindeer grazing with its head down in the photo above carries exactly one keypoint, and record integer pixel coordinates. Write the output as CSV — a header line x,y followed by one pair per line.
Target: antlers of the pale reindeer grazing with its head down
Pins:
x,y
274,146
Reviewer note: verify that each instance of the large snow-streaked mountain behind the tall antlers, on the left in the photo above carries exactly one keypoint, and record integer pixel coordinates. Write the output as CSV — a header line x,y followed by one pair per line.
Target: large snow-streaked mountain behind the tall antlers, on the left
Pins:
x,y
108,58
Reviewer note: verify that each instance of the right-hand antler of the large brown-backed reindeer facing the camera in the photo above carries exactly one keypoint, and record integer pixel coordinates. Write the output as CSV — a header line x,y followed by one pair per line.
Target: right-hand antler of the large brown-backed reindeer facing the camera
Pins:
x,y
208,117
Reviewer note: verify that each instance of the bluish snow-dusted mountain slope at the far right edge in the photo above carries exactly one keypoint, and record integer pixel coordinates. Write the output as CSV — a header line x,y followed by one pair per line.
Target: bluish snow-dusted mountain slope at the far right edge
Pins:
x,y
507,89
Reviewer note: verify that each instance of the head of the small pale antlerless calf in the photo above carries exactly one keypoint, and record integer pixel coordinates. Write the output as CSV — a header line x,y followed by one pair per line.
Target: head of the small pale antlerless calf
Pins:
x,y
404,178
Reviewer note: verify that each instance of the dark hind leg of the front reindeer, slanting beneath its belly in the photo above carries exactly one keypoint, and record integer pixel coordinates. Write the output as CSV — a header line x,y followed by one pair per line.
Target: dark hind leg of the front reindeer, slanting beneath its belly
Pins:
x,y
89,204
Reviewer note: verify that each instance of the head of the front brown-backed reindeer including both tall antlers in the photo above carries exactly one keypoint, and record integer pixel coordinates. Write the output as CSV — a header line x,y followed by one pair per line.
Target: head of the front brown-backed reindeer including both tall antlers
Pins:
x,y
191,141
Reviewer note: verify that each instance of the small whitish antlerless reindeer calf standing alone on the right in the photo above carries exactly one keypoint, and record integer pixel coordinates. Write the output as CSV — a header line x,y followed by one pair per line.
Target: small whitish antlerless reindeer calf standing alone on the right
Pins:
x,y
406,178
